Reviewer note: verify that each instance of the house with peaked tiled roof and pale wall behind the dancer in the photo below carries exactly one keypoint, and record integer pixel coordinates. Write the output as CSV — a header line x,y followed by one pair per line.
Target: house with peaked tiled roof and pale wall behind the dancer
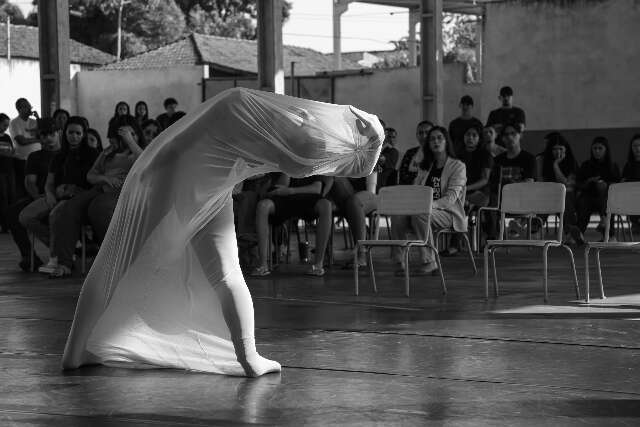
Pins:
x,y
191,70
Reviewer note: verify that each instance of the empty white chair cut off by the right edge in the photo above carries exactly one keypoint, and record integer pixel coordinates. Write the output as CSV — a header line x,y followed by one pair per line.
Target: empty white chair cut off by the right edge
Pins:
x,y
623,199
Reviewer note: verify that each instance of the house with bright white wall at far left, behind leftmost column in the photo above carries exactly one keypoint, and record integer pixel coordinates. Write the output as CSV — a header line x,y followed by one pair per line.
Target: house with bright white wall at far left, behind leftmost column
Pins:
x,y
20,65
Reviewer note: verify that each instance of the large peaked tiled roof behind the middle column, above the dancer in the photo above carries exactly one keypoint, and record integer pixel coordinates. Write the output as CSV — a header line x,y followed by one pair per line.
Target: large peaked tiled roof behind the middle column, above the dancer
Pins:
x,y
233,54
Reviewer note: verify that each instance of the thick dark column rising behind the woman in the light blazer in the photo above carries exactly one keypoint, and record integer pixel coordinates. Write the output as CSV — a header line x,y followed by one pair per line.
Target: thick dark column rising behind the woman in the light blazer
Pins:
x,y
431,60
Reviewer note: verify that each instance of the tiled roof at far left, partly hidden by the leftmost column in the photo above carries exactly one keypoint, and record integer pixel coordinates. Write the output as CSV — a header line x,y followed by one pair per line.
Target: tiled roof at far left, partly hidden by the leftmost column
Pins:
x,y
24,44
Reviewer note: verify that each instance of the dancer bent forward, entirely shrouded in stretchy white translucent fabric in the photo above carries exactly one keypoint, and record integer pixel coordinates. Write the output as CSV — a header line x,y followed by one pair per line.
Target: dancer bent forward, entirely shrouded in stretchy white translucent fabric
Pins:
x,y
166,289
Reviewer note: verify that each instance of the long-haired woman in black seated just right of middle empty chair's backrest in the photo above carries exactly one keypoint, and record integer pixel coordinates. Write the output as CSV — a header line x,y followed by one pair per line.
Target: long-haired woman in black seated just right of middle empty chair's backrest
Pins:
x,y
557,164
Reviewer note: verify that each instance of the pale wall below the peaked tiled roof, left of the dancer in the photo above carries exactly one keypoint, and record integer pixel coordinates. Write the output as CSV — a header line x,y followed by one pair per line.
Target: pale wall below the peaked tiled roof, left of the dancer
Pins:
x,y
98,92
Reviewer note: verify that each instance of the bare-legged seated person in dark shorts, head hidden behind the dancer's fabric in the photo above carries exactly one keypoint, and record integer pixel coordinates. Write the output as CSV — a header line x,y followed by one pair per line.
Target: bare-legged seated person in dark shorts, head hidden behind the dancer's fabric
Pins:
x,y
295,198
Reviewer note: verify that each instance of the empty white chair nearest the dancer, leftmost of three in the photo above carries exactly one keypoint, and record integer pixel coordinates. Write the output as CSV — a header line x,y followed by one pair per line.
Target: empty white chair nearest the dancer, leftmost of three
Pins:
x,y
399,200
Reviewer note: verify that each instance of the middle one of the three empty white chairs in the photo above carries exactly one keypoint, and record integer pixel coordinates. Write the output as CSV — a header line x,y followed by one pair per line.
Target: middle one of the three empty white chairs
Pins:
x,y
529,198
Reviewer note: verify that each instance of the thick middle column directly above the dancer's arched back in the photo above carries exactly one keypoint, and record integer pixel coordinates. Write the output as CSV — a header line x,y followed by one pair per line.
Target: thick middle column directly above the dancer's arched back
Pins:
x,y
270,70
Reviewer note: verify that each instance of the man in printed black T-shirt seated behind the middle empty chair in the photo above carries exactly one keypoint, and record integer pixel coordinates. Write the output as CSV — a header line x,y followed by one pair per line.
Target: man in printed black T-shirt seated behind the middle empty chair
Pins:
x,y
514,165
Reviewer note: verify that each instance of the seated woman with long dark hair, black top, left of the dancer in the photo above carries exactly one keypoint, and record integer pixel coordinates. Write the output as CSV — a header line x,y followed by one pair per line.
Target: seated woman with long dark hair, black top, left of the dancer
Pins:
x,y
67,177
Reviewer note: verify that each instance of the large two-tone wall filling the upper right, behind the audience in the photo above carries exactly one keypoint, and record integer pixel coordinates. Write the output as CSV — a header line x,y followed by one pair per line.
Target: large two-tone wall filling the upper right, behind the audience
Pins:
x,y
573,66
